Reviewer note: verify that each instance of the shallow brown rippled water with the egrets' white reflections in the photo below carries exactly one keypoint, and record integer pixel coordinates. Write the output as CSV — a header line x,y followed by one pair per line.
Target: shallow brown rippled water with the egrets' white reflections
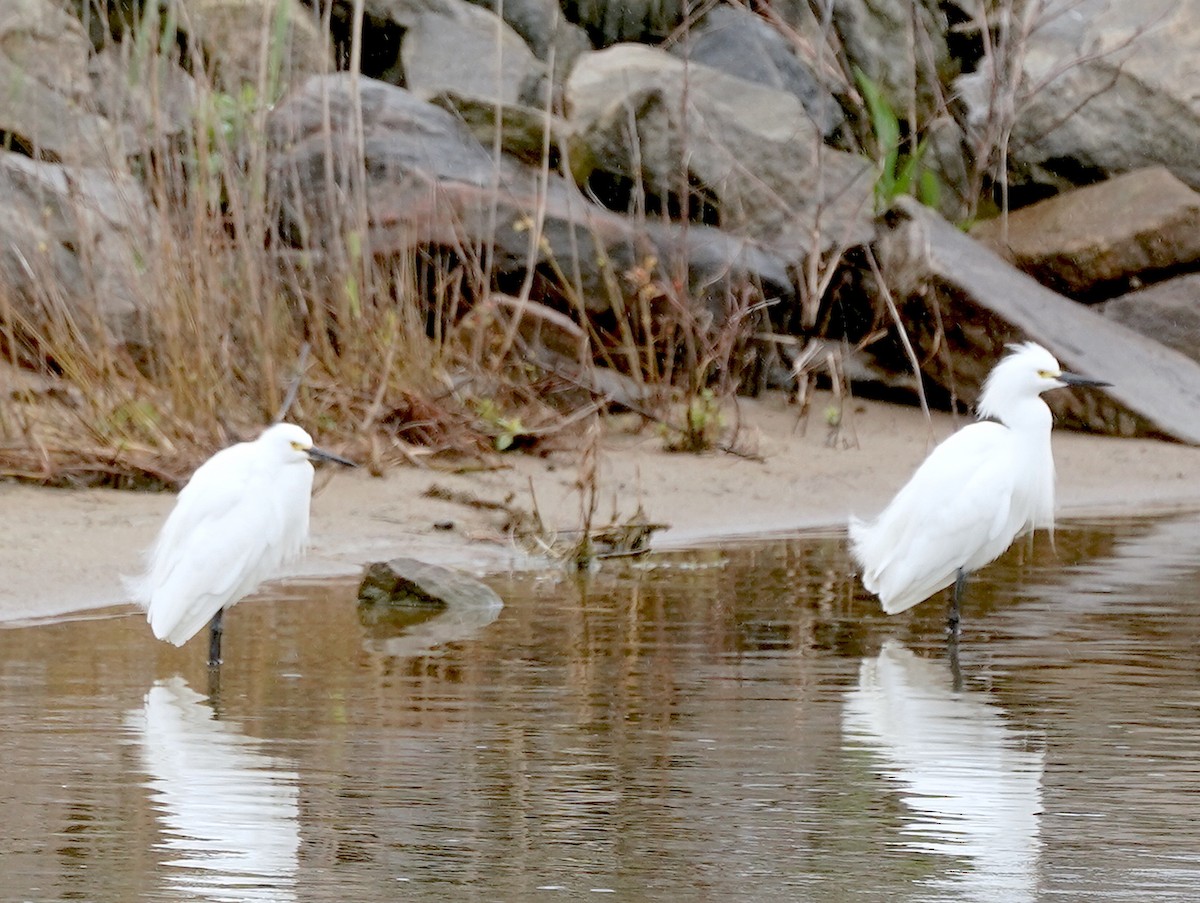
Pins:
x,y
739,725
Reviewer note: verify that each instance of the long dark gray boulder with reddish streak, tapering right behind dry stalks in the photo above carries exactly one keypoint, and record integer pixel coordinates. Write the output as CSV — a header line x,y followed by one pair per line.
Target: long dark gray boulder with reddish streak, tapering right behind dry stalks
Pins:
x,y
431,184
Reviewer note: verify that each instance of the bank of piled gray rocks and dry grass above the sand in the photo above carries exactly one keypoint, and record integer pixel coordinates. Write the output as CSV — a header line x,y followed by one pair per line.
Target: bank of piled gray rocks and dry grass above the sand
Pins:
x,y
225,212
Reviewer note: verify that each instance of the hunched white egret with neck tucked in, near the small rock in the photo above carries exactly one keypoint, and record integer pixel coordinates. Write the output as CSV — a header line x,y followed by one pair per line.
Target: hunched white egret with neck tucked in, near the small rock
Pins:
x,y
241,519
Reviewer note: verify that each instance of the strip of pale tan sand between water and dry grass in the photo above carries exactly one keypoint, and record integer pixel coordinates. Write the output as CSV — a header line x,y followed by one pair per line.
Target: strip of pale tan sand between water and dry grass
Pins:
x,y
64,552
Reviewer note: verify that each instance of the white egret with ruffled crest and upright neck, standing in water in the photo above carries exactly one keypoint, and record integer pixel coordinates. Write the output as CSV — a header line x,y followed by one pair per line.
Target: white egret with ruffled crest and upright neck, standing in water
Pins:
x,y
976,493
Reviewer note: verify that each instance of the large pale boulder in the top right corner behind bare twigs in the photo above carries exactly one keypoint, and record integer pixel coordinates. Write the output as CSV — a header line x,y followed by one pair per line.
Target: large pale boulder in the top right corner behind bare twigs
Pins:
x,y
1106,87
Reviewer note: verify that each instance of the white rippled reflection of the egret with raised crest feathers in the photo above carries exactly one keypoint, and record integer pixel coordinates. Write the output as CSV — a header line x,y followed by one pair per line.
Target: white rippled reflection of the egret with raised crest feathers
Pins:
x,y
971,782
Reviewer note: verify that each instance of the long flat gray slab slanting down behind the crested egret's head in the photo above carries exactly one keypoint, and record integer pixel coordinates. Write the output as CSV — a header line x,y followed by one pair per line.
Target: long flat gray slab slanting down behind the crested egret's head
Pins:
x,y
962,303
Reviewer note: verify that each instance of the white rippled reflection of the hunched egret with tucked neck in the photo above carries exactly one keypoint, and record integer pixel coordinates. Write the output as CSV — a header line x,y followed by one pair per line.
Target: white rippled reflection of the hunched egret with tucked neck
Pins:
x,y
230,812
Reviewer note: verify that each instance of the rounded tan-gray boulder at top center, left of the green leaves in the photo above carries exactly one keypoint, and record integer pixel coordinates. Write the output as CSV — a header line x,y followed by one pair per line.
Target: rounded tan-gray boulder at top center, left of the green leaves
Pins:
x,y
645,117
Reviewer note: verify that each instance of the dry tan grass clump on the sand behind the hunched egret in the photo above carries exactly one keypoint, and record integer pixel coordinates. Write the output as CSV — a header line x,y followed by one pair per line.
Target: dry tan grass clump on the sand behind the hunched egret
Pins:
x,y
415,362
